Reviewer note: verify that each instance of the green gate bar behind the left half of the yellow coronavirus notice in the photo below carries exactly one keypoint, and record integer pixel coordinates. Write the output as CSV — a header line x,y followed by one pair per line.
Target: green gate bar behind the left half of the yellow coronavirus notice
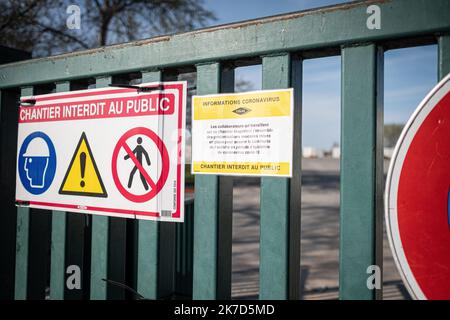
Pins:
x,y
213,205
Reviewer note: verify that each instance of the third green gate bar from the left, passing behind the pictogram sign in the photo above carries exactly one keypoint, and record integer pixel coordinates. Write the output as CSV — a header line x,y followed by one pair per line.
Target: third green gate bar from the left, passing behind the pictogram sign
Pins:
x,y
100,233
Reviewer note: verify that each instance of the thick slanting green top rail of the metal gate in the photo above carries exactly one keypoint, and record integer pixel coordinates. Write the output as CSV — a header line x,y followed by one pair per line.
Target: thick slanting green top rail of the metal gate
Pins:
x,y
319,28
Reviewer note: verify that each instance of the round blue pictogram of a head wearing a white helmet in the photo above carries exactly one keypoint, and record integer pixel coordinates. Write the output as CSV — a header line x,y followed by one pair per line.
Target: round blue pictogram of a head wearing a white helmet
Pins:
x,y
37,163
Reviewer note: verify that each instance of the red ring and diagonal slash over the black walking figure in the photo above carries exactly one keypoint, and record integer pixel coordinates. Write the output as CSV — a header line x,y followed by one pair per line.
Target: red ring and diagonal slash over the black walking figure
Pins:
x,y
155,187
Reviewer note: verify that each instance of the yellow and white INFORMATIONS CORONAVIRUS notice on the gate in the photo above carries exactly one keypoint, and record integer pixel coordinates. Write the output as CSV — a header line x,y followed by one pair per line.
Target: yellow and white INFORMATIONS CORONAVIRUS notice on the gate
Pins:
x,y
243,134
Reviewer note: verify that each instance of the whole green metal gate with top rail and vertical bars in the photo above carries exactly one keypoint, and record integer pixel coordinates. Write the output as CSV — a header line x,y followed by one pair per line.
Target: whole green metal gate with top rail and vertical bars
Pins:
x,y
153,257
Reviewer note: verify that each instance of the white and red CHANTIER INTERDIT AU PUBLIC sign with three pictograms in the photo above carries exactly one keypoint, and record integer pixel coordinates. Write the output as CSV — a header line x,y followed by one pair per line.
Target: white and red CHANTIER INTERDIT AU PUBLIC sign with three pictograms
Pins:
x,y
112,151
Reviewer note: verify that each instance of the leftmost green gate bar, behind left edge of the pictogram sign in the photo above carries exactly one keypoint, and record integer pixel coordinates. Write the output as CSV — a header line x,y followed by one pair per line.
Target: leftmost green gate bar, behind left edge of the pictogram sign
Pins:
x,y
22,240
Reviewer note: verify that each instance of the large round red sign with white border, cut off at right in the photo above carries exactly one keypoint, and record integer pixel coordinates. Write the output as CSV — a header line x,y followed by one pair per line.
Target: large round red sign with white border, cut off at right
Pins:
x,y
417,199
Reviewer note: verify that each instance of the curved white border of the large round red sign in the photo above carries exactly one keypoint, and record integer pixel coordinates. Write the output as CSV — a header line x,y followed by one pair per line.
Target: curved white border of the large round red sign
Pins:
x,y
392,183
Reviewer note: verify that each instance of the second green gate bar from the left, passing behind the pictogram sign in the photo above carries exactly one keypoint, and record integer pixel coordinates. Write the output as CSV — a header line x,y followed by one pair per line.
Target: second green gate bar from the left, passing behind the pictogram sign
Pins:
x,y
58,241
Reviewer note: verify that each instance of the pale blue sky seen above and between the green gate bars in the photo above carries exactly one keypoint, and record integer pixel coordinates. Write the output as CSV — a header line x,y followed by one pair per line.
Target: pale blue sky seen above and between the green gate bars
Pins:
x,y
408,74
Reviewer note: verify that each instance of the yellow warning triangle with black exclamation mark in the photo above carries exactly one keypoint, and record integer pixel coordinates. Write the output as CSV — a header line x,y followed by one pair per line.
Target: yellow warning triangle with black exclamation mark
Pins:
x,y
82,177
